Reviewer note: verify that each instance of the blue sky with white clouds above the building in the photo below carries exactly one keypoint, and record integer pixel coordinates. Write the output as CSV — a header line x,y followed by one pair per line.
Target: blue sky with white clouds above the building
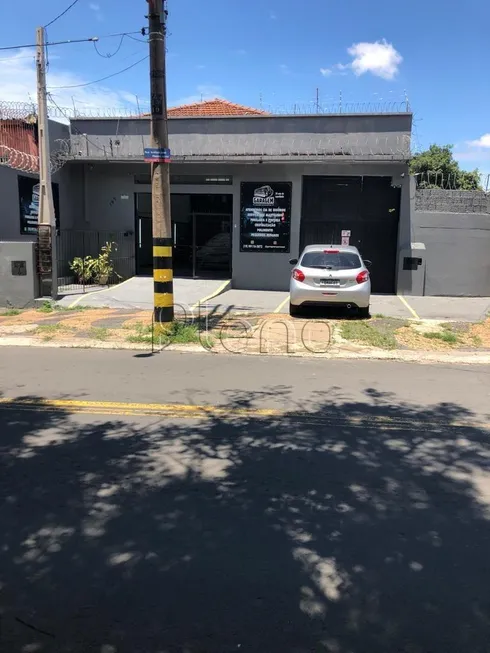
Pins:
x,y
277,52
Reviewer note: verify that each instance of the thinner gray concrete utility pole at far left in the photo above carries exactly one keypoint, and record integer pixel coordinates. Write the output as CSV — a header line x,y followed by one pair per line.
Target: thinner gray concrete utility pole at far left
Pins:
x,y
46,217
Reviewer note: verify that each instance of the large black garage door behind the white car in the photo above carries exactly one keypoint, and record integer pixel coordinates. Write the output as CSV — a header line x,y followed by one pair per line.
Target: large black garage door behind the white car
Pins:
x,y
369,207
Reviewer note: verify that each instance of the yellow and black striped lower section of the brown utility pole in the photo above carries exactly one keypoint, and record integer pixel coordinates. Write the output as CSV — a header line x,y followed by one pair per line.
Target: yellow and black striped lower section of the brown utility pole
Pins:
x,y
163,285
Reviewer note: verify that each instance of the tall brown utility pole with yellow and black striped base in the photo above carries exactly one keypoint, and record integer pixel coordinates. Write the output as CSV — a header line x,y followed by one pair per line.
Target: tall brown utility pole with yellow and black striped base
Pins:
x,y
159,157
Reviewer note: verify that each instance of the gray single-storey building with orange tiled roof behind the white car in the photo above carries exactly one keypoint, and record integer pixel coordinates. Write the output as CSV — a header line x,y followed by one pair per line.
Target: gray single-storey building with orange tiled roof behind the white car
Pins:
x,y
248,191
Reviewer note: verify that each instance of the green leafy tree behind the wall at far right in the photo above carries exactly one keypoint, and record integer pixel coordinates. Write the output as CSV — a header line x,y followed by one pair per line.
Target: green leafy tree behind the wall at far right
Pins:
x,y
437,168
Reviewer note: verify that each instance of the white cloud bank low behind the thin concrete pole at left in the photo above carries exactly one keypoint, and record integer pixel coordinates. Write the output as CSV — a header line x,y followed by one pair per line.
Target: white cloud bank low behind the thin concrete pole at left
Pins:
x,y
18,84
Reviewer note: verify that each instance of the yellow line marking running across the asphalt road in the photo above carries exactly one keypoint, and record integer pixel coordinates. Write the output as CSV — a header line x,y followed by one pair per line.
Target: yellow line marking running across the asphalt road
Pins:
x,y
188,411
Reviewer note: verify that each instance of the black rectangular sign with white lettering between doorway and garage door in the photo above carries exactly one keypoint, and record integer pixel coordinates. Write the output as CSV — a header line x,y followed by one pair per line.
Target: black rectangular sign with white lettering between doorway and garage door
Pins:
x,y
265,216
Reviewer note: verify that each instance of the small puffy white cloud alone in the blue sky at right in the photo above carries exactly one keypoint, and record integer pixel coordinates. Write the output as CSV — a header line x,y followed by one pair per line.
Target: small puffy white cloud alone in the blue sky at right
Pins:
x,y
379,58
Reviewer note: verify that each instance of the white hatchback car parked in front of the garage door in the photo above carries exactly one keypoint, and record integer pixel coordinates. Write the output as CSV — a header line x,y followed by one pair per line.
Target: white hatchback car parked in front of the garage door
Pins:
x,y
330,275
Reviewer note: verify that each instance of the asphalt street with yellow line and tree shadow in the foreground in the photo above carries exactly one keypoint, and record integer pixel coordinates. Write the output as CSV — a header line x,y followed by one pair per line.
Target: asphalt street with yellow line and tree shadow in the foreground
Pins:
x,y
242,504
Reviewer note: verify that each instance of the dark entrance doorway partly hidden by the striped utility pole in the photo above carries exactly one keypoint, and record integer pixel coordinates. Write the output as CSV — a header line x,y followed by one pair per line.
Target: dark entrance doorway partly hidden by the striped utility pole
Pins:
x,y
201,232
